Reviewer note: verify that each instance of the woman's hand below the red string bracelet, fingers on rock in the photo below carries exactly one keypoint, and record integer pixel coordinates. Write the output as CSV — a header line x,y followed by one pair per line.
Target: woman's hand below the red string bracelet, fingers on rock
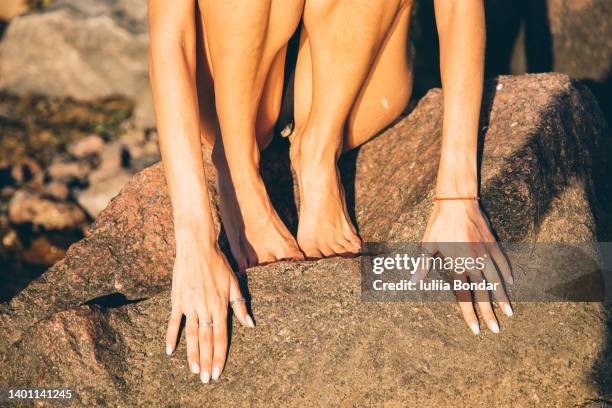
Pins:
x,y
459,228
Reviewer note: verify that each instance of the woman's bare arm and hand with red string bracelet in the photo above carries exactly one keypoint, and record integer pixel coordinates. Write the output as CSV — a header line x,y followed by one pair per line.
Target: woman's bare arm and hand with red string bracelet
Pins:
x,y
461,29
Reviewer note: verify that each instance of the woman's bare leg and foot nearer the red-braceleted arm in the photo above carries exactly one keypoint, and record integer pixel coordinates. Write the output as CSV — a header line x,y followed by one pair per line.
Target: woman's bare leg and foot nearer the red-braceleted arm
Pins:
x,y
352,79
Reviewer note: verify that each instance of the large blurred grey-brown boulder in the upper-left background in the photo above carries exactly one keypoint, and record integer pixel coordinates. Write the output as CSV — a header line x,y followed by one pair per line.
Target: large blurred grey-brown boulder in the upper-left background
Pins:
x,y
80,48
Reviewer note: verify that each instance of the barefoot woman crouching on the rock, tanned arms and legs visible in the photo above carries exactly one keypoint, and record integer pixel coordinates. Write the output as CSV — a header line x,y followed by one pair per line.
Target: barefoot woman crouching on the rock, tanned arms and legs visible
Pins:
x,y
217,69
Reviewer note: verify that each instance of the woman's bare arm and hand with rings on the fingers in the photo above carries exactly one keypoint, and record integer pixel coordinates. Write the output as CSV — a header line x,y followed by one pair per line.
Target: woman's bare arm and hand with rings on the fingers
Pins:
x,y
202,281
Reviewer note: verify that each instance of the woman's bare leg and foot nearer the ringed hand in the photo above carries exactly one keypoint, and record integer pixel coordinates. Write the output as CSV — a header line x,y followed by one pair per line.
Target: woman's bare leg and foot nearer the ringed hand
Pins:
x,y
244,40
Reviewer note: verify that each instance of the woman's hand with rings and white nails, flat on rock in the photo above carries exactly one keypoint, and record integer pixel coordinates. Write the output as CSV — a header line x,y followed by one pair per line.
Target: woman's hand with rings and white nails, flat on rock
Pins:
x,y
203,284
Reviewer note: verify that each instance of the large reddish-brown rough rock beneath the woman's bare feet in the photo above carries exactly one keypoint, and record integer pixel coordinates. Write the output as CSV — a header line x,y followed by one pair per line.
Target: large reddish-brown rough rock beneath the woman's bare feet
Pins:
x,y
96,319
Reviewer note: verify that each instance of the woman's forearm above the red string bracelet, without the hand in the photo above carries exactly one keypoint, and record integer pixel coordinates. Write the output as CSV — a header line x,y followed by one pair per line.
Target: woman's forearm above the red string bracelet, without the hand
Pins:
x,y
461,28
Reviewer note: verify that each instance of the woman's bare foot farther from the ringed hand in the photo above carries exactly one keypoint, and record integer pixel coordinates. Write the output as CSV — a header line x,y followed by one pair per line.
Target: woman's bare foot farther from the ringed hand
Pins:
x,y
324,227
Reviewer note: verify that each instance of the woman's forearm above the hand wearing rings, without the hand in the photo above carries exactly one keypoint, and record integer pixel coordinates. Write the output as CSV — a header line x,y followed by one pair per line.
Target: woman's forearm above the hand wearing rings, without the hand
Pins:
x,y
172,74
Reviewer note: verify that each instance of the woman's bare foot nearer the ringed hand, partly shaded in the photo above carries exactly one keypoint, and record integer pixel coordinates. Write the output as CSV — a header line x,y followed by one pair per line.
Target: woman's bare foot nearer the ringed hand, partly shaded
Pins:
x,y
254,230
